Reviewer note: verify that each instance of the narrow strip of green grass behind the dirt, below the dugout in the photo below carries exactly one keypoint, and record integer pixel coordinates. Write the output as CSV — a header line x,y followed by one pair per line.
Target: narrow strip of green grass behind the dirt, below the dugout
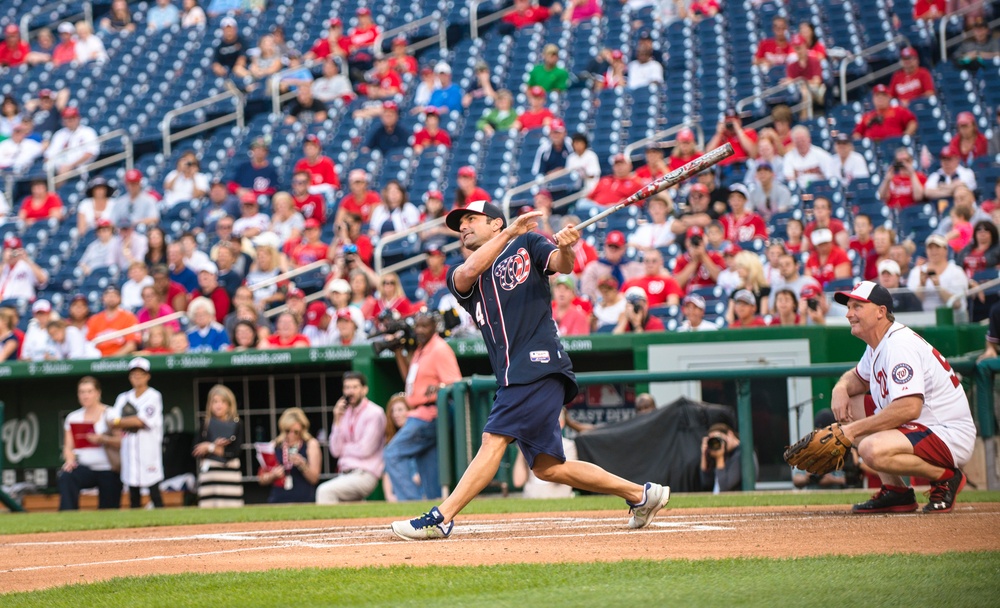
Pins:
x,y
32,523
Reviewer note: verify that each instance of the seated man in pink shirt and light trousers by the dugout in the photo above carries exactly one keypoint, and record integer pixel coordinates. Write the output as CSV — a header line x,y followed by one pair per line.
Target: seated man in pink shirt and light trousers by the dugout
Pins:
x,y
356,441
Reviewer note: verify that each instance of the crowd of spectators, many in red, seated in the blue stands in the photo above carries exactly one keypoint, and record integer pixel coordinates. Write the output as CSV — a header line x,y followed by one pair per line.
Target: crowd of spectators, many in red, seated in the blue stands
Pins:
x,y
759,241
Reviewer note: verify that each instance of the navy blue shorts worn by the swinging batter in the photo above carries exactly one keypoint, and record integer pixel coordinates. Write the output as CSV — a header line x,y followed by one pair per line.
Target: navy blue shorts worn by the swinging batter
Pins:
x,y
530,414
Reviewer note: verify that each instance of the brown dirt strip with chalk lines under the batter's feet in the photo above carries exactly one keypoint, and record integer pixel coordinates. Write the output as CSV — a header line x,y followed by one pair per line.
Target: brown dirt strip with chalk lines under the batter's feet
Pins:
x,y
37,561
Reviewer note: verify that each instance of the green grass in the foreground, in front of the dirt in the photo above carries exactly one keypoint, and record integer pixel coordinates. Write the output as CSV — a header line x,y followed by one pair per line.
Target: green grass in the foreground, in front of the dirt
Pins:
x,y
952,579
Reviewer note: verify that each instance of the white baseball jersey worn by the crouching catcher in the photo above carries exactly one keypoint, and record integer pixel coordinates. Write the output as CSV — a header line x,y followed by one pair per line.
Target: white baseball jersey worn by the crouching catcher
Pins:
x,y
903,365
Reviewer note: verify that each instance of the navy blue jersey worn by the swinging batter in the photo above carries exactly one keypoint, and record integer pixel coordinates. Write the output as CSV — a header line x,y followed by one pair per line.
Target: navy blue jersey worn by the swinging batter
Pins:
x,y
512,305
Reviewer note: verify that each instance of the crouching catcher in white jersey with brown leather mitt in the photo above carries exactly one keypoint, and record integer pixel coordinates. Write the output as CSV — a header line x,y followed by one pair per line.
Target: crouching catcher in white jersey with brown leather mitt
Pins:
x,y
916,421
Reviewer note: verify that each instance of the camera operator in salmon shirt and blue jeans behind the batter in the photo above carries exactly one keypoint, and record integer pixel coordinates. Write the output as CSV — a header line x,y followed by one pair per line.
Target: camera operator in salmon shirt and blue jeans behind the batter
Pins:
x,y
430,366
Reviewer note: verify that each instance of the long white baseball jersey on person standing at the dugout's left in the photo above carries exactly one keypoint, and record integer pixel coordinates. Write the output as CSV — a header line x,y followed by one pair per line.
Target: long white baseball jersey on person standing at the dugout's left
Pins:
x,y
142,450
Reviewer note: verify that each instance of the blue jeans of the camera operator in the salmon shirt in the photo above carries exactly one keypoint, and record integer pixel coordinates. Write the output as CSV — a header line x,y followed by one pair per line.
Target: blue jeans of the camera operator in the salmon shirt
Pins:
x,y
416,441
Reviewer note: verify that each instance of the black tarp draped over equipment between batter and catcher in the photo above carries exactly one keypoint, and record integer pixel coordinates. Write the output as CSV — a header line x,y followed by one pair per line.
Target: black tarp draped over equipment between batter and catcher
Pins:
x,y
663,446
